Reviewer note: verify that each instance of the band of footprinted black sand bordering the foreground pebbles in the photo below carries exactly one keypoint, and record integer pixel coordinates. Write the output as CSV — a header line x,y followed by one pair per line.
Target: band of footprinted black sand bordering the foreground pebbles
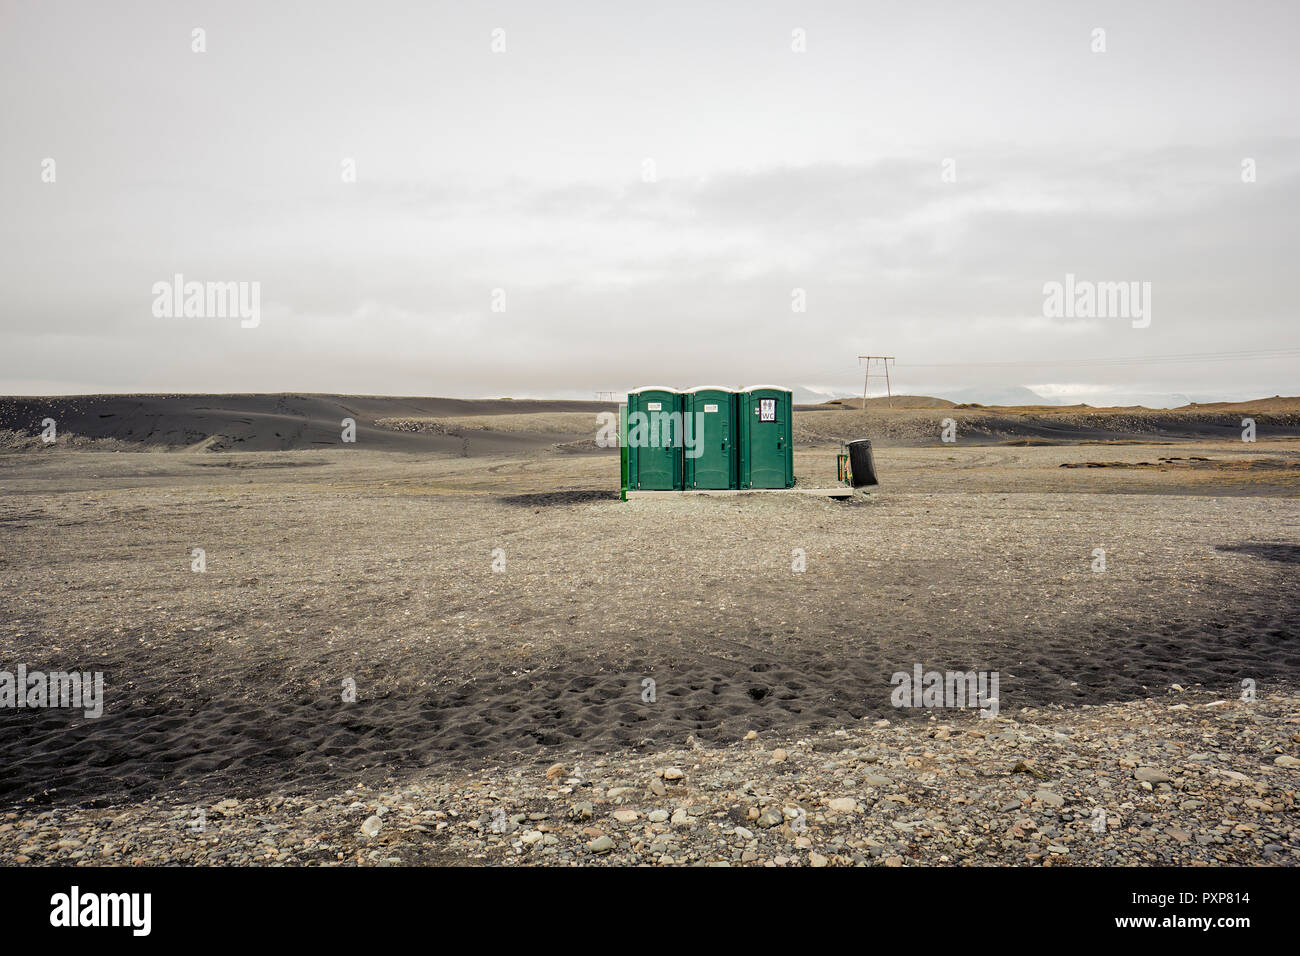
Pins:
x,y
222,746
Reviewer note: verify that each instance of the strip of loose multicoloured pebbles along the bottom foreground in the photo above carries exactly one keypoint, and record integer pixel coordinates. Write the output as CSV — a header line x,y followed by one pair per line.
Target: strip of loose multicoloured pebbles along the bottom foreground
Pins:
x,y
1182,780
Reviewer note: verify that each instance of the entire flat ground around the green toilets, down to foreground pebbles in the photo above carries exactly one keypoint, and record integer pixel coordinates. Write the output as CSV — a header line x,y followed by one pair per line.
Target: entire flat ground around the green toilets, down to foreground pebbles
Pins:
x,y
224,687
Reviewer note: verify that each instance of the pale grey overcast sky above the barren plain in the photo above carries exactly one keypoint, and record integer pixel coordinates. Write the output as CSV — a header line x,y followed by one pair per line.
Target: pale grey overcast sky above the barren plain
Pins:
x,y
648,185
